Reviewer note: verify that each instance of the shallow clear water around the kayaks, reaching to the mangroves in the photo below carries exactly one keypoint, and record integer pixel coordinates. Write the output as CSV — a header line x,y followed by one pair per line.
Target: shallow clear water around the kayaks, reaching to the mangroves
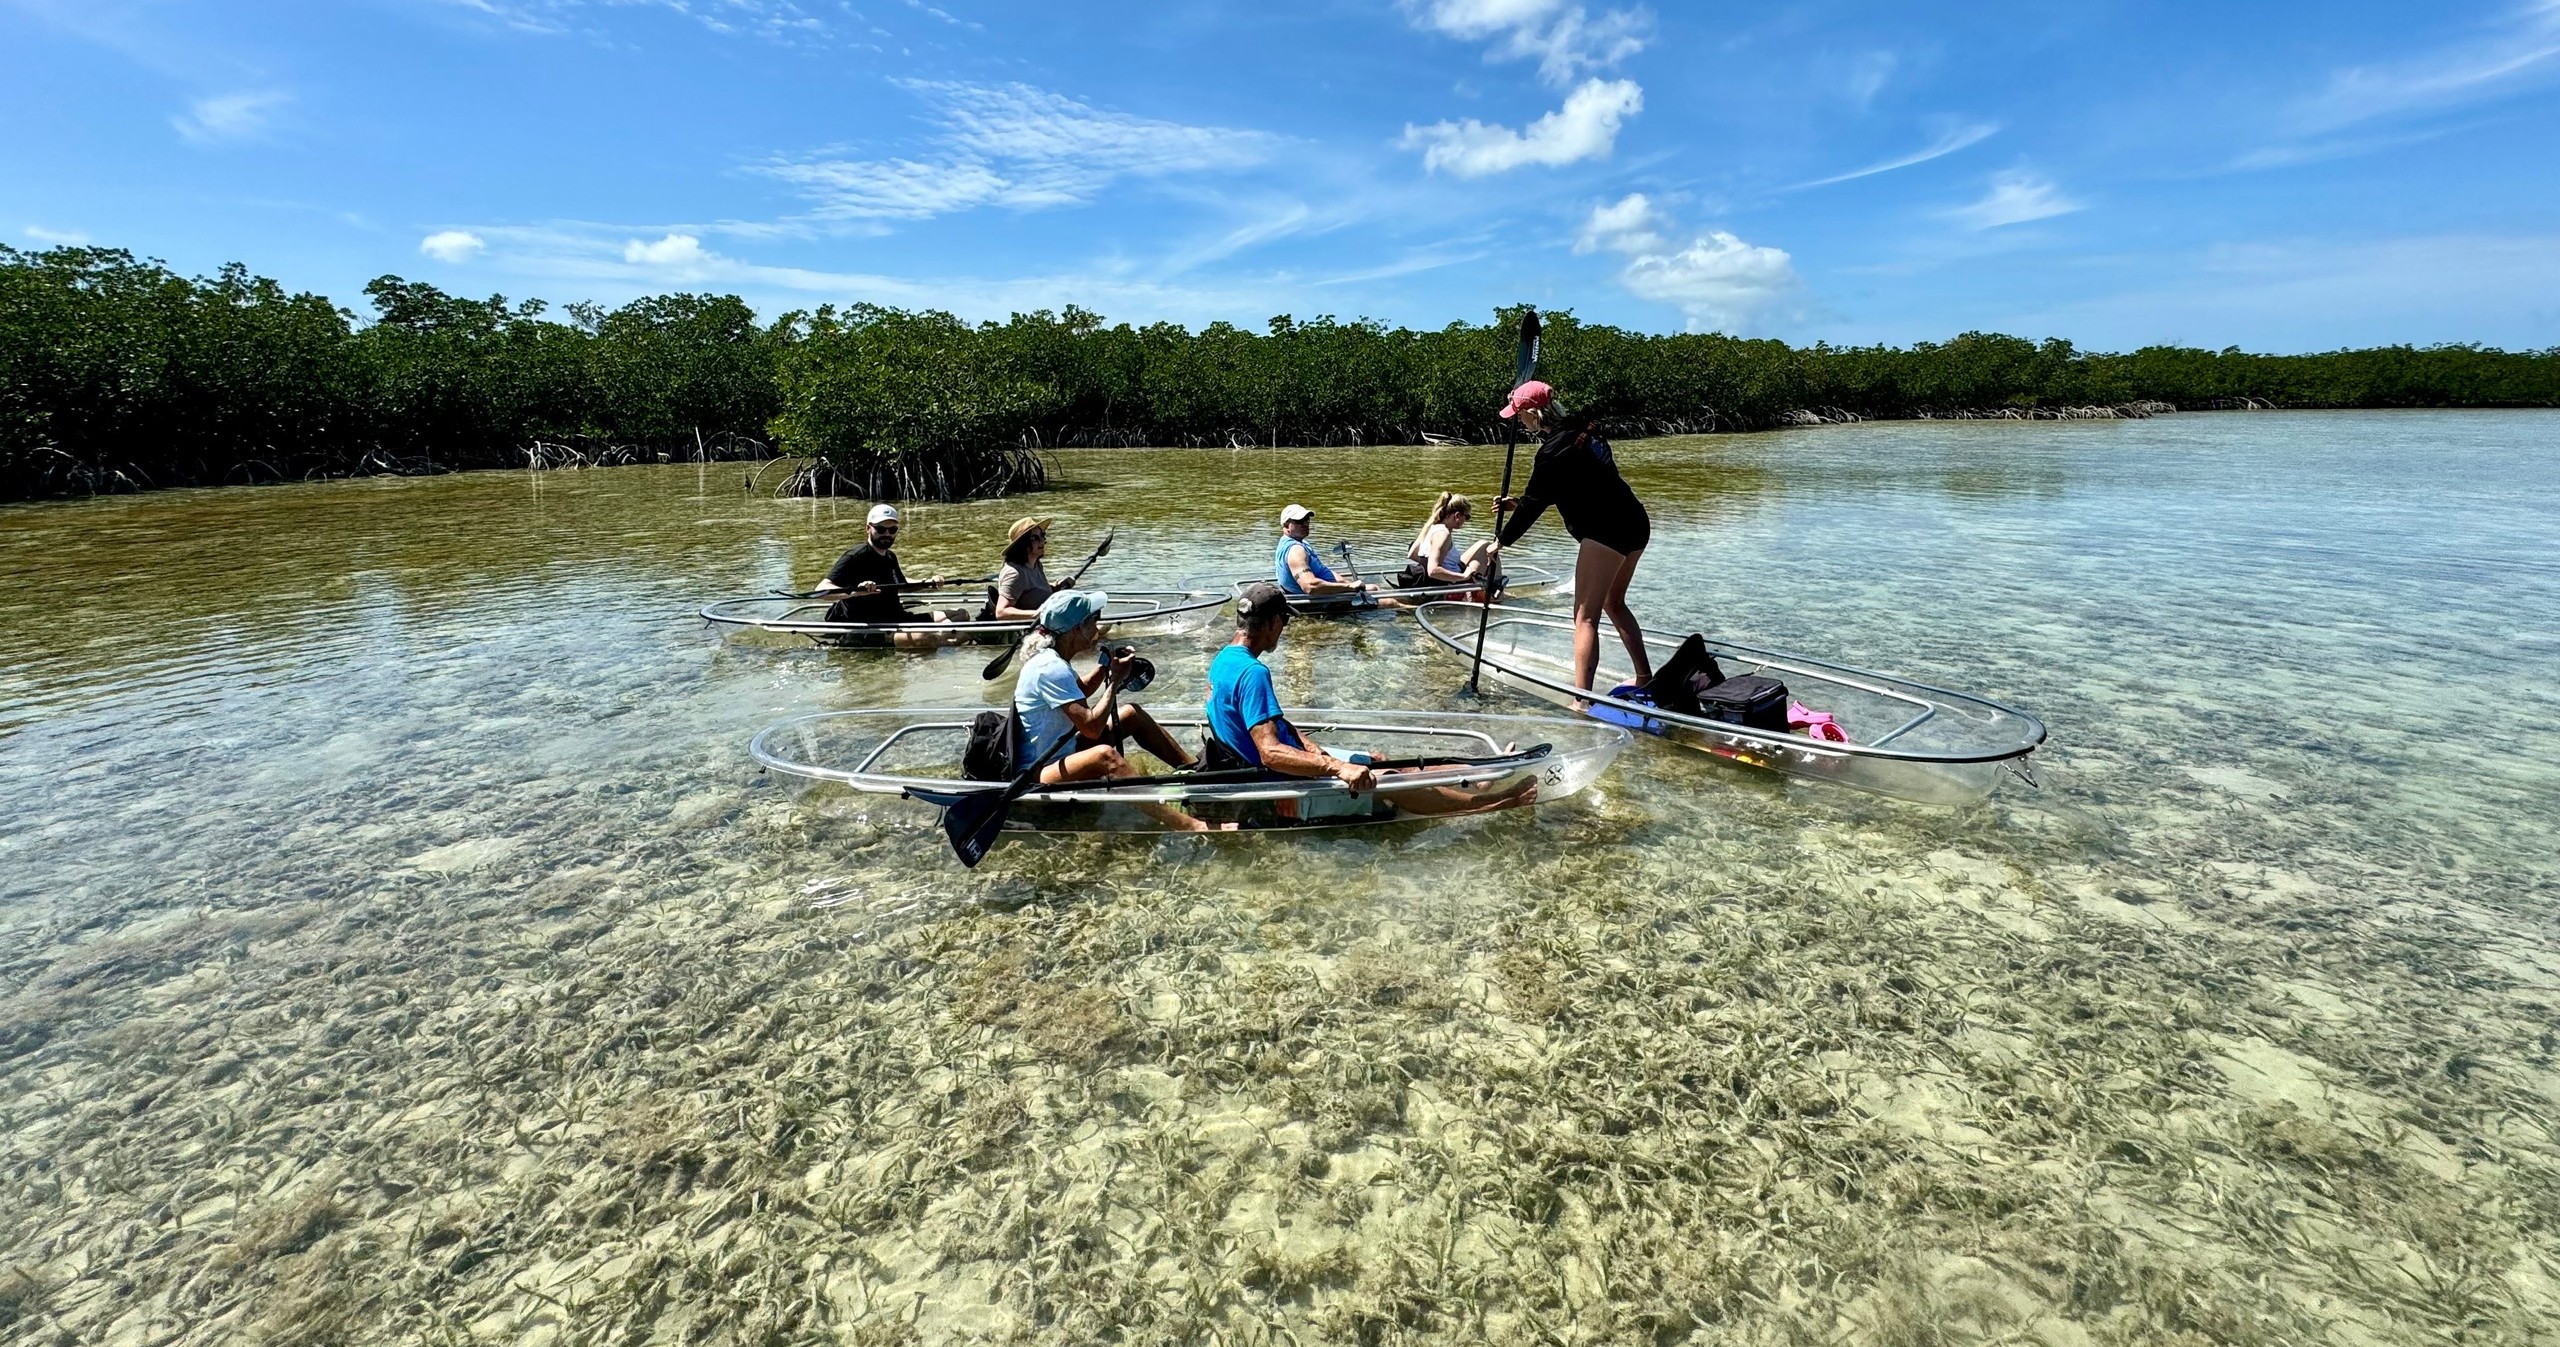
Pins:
x,y
403,944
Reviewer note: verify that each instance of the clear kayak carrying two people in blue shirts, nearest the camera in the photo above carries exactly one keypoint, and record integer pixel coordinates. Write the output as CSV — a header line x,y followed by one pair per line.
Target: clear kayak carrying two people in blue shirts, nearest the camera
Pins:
x,y
1463,764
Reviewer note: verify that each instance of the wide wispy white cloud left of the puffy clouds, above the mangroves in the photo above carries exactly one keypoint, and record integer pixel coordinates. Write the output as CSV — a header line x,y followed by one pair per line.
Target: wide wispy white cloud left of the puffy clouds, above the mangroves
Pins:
x,y
1023,150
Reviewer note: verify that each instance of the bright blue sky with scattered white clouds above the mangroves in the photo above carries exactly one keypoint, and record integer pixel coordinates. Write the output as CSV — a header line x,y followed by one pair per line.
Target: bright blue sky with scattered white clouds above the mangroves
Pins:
x,y
2282,178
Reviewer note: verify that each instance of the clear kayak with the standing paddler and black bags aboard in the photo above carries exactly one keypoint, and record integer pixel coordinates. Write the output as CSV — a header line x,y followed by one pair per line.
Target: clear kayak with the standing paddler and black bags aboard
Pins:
x,y
1908,741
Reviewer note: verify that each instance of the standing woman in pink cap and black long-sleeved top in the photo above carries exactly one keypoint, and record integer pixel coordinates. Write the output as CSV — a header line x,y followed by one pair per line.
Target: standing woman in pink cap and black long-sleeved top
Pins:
x,y
1578,475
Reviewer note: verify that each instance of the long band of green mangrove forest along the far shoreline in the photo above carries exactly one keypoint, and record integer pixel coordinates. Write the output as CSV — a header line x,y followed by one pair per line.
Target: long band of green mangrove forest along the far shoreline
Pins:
x,y
122,375
